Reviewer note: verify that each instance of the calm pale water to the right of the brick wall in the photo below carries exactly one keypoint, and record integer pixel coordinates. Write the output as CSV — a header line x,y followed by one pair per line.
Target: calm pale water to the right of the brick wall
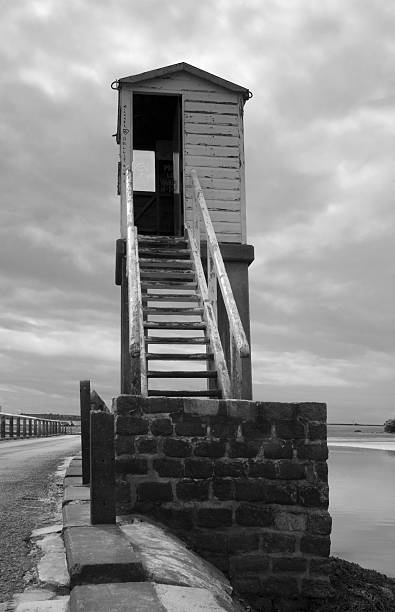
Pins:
x,y
362,497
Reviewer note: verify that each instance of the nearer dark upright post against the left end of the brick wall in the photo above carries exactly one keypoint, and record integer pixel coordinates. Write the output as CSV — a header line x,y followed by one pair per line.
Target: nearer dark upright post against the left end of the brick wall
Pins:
x,y
102,469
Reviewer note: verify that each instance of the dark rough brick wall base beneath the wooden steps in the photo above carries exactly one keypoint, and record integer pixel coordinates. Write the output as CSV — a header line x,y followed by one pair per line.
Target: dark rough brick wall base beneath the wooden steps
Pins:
x,y
245,483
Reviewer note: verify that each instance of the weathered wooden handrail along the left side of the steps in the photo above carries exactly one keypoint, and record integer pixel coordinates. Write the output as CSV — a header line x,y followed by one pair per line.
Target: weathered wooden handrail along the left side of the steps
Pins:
x,y
135,309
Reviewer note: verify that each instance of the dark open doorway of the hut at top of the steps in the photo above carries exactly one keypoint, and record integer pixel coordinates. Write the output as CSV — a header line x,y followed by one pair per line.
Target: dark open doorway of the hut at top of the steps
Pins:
x,y
157,164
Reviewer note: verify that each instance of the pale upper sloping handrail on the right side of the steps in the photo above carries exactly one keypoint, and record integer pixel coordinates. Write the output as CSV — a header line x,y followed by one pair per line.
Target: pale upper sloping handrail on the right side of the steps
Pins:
x,y
235,324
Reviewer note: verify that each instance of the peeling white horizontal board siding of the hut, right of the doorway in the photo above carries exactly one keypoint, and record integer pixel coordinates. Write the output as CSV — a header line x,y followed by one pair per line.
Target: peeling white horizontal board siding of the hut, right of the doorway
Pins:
x,y
212,144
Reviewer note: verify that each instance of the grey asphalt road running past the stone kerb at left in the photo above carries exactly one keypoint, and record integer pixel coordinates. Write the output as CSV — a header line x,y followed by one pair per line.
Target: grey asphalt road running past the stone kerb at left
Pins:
x,y
28,499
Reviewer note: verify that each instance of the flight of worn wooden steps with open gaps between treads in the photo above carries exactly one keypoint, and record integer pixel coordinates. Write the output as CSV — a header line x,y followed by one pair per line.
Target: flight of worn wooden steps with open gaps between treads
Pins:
x,y
173,319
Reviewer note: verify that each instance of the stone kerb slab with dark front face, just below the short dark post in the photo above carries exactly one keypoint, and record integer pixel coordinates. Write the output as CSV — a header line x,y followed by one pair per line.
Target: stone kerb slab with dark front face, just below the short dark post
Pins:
x,y
101,554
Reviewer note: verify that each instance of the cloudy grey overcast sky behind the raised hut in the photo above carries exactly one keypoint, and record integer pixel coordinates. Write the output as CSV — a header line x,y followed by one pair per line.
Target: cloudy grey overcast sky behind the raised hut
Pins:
x,y
320,196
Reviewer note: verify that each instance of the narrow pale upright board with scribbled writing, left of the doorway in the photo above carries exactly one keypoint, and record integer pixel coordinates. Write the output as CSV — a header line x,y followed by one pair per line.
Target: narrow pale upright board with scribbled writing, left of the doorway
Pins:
x,y
126,148
